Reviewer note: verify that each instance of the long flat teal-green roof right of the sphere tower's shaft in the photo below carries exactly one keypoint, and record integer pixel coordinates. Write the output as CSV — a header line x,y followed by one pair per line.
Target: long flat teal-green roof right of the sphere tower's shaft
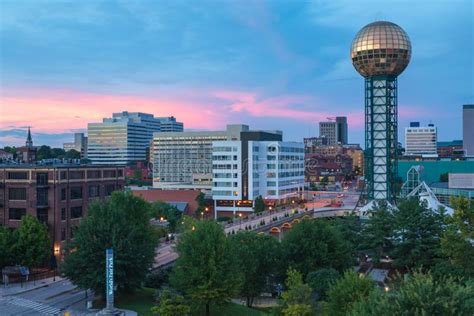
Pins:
x,y
433,169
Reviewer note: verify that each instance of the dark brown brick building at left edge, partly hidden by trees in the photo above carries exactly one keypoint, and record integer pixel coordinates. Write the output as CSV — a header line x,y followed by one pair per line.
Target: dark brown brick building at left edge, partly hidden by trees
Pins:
x,y
57,195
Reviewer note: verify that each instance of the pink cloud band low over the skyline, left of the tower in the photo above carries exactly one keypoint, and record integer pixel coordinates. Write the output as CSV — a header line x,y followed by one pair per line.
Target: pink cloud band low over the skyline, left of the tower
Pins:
x,y
62,110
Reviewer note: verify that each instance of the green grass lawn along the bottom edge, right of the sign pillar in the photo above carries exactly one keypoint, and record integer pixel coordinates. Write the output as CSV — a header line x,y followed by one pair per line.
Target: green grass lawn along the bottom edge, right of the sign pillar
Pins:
x,y
142,301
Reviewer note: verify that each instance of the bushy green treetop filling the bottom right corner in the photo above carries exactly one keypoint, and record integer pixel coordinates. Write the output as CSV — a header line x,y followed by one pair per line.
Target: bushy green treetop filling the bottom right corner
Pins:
x,y
420,294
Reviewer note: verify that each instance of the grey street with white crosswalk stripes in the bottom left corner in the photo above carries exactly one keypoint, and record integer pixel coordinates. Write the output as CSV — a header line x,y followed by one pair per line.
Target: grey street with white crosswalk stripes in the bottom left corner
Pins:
x,y
47,300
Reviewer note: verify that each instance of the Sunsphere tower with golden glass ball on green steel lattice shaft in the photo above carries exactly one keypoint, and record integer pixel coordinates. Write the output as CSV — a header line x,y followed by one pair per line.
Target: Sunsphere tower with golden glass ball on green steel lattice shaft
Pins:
x,y
380,52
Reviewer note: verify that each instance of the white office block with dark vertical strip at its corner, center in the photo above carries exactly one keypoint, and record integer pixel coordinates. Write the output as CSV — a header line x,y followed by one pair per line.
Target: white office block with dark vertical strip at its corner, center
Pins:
x,y
254,166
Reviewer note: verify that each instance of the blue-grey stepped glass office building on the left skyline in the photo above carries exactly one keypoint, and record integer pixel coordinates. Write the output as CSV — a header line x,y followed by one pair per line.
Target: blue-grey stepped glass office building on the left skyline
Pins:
x,y
124,138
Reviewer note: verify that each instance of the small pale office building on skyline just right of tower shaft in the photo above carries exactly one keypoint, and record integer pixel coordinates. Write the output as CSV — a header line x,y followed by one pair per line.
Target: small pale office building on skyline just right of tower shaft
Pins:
x,y
421,141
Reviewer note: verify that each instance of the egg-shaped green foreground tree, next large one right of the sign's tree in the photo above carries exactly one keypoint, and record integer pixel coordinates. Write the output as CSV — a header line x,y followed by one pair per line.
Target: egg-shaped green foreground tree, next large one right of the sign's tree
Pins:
x,y
206,271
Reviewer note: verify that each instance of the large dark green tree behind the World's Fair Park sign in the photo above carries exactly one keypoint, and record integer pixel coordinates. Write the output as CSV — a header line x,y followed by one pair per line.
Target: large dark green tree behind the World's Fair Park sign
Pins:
x,y
121,222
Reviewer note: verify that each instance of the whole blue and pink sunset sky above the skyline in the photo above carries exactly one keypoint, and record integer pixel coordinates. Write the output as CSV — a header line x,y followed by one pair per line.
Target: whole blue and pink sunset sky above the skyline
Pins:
x,y
269,64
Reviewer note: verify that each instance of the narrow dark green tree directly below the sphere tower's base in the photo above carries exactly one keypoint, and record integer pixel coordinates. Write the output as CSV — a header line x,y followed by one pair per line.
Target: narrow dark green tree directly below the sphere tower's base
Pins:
x,y
377,233
